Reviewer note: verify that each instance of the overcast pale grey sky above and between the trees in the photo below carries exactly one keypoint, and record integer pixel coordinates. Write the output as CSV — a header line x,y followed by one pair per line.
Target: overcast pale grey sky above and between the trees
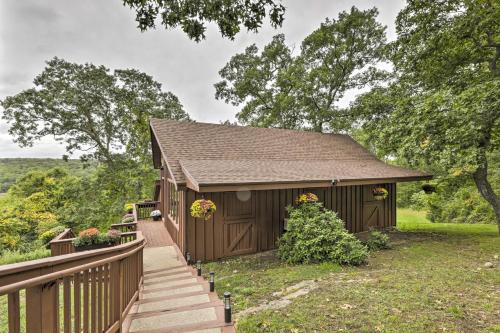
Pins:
x,y
105,33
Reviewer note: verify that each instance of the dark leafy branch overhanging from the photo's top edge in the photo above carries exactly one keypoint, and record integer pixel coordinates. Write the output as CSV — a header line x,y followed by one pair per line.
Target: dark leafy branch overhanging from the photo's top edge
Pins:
x,y
193,15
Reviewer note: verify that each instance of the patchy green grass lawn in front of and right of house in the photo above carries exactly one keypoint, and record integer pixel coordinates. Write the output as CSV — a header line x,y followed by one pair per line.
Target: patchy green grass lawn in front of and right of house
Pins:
x,y
432,280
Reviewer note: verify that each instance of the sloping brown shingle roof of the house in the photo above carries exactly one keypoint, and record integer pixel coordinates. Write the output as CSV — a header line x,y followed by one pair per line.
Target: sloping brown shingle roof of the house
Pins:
x,y
226,154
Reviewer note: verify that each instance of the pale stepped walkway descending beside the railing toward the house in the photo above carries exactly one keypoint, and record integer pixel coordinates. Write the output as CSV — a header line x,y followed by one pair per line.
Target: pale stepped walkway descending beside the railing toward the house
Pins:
x,y
173,298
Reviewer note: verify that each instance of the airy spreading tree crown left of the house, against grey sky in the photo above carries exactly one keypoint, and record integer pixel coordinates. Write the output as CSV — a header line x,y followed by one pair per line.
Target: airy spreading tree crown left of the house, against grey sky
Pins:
x,y
91,110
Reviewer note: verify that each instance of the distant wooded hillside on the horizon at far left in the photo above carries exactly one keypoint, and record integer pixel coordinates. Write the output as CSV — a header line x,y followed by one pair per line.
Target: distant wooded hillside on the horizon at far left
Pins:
x,y
14,168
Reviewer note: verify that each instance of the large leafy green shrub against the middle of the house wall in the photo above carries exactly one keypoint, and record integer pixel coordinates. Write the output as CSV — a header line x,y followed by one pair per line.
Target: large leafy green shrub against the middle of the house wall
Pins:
x,y
315,234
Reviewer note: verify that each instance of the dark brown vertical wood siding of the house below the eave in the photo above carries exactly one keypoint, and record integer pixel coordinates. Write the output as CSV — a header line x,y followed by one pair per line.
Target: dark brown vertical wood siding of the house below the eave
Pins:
x,y
253,221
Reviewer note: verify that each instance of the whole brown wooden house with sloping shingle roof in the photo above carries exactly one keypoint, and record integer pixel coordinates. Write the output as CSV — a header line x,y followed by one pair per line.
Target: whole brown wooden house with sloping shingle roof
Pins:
x,y
252,174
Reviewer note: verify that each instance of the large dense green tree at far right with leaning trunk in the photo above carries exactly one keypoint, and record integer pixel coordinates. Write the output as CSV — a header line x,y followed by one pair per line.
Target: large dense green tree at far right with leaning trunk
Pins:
x,y
444,107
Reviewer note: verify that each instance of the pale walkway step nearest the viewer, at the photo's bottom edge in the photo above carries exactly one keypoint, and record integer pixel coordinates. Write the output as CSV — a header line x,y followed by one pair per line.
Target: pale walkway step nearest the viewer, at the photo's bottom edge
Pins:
x,y
169,320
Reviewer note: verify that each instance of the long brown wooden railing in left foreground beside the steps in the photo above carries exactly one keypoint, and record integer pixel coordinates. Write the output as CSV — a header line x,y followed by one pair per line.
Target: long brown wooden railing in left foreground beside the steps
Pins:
x,y
90,291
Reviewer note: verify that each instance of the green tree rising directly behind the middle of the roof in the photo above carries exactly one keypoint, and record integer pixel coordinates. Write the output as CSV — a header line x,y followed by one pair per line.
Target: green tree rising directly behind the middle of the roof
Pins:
x,y
287,91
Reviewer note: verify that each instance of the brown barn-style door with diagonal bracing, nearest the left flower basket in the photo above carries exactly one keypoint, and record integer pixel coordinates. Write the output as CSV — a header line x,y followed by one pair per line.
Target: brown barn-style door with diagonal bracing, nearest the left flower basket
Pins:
x,y
239,229
